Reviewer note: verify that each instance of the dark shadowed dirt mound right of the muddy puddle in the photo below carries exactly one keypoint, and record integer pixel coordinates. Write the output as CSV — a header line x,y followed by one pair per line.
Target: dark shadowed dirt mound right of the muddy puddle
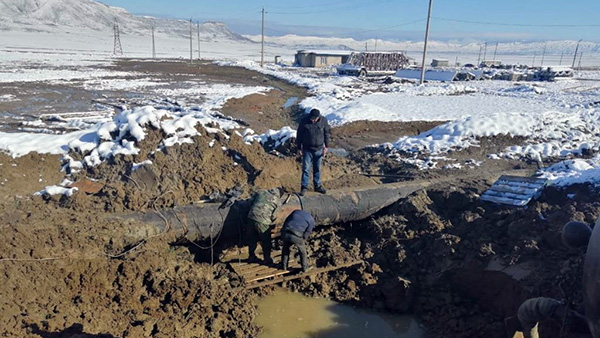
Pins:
x,y
460,264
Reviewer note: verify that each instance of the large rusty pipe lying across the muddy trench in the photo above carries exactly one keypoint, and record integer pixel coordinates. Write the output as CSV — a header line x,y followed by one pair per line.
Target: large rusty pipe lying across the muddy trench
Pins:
x,y
202,221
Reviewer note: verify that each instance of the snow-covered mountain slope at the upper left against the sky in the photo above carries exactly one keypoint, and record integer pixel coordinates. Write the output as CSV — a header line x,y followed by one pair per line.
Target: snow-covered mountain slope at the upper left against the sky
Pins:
x,y
51,15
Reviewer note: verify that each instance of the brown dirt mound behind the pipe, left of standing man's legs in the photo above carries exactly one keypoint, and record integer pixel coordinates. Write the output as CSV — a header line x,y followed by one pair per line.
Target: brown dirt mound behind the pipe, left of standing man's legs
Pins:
x,y
186,173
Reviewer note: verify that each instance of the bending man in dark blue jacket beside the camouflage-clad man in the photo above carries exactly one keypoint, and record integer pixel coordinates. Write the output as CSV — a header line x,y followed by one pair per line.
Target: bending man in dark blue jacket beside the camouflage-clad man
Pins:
x,y
296,229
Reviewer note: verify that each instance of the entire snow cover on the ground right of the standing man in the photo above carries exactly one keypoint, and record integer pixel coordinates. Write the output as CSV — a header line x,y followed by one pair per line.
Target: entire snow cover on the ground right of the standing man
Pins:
x,y
557,119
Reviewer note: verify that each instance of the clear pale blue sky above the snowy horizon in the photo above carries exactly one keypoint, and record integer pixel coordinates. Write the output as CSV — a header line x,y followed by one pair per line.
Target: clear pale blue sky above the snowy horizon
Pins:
x,y
452,20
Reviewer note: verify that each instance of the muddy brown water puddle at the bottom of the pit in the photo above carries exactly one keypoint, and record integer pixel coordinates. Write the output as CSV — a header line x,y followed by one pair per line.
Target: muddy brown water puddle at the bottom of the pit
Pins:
x,y
288,314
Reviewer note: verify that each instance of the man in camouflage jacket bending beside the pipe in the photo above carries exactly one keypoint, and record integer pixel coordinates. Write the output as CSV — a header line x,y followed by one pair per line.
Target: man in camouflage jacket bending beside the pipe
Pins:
x,y
261,215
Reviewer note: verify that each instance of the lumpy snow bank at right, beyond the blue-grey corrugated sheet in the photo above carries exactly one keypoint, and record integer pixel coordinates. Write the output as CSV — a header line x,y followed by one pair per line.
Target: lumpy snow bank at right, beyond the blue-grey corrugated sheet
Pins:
x,y
548,134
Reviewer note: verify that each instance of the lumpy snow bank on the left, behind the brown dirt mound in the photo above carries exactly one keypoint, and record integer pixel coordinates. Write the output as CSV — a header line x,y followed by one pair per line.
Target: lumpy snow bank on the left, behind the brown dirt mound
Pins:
x,y
108,139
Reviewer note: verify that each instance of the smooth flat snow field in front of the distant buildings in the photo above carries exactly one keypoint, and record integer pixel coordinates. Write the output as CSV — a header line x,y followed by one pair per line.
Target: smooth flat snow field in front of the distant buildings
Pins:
x,y
344,99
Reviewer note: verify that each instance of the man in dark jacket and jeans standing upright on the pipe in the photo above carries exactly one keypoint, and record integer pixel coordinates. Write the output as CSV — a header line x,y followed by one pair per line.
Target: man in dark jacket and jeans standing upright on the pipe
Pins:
x,y
312,140
